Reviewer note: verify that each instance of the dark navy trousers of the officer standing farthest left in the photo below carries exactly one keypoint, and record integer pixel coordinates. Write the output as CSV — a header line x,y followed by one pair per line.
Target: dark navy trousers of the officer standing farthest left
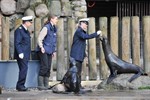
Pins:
x,y
23,67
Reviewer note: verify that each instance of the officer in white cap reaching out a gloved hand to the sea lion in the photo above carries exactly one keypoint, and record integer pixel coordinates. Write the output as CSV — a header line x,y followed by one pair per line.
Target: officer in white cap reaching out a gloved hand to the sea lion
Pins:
x,y
79,44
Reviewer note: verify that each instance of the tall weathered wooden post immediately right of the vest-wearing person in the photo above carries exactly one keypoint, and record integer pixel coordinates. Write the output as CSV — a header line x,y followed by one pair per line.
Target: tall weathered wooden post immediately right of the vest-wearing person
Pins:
x,y
61,68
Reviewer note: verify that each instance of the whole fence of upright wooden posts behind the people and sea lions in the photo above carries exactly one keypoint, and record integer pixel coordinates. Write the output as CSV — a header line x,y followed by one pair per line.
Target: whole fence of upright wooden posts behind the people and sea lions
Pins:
x,y
128,37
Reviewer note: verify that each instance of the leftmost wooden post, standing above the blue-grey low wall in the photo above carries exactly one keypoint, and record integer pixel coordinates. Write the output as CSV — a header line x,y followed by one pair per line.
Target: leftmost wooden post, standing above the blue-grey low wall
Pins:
x,y
5,38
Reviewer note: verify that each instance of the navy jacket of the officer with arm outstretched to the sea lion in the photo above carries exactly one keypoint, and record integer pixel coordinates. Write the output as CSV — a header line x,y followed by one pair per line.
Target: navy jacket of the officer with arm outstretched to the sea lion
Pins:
x,y
79,44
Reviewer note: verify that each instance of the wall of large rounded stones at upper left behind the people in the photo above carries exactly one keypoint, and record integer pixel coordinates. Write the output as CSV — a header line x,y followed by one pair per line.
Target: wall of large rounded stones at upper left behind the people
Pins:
x,y
15,9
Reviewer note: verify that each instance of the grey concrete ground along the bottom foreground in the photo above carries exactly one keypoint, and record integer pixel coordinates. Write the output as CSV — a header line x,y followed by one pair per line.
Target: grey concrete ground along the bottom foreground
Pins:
x,y
34,94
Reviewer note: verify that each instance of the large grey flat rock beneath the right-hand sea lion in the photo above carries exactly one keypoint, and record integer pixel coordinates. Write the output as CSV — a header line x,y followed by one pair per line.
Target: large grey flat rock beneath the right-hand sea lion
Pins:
x,y
121,83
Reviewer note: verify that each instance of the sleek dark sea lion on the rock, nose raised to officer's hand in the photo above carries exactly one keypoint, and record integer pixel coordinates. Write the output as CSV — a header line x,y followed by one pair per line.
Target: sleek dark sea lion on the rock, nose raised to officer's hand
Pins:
x,y
117,65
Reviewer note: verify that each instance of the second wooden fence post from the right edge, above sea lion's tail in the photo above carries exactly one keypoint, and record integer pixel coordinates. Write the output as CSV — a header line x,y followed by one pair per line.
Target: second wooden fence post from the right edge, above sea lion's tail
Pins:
x,y
135,40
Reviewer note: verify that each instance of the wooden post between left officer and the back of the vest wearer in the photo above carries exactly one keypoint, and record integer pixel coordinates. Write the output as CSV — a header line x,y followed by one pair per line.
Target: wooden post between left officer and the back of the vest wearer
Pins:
x,y
37,25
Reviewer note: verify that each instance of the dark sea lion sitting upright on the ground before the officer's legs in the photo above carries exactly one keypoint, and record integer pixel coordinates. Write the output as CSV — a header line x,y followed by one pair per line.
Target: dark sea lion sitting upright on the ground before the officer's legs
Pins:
x,y
70,82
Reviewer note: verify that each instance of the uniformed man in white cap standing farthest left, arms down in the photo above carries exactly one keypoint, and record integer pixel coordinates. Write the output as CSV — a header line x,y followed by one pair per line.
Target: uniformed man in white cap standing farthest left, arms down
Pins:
x,y
22,51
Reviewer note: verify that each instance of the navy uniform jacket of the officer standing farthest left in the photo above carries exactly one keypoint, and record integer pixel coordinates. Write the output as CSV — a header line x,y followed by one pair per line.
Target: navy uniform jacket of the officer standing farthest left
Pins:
x,y
22,42
